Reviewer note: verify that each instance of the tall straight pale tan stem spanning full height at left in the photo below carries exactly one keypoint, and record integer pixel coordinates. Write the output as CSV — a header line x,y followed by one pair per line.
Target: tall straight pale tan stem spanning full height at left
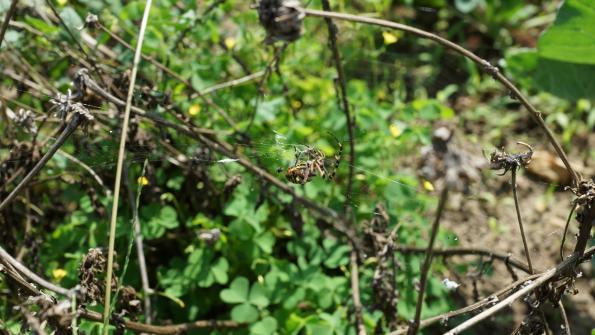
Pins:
x,y
121,153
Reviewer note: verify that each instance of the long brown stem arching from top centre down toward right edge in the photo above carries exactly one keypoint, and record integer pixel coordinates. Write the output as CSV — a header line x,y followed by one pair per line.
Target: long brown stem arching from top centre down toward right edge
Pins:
x,y
492,70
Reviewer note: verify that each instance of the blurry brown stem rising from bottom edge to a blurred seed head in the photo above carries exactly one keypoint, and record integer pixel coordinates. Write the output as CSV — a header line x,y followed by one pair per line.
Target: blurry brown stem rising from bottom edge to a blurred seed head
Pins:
x,y
414,326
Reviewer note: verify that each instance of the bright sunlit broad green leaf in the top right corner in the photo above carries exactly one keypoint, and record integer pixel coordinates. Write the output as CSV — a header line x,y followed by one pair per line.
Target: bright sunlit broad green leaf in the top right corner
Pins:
x,y
572,37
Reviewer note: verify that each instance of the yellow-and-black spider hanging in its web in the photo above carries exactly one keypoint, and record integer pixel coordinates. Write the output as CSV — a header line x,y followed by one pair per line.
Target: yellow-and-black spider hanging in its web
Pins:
x,y
312,162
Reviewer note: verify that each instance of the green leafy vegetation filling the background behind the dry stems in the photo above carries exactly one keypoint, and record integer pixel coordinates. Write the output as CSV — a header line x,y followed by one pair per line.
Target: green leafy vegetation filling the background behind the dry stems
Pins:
x,y
283,275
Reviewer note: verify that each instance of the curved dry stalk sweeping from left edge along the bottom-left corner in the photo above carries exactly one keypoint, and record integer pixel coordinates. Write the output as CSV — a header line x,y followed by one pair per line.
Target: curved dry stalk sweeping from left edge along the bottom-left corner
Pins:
x,y
14,270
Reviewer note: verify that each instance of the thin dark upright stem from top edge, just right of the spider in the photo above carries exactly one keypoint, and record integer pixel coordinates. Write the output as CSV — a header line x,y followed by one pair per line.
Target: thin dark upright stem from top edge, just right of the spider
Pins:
x,y
332,30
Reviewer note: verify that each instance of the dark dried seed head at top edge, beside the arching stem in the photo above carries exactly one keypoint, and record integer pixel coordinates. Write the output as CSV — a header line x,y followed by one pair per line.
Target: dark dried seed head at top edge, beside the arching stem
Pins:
x,y
282,19
